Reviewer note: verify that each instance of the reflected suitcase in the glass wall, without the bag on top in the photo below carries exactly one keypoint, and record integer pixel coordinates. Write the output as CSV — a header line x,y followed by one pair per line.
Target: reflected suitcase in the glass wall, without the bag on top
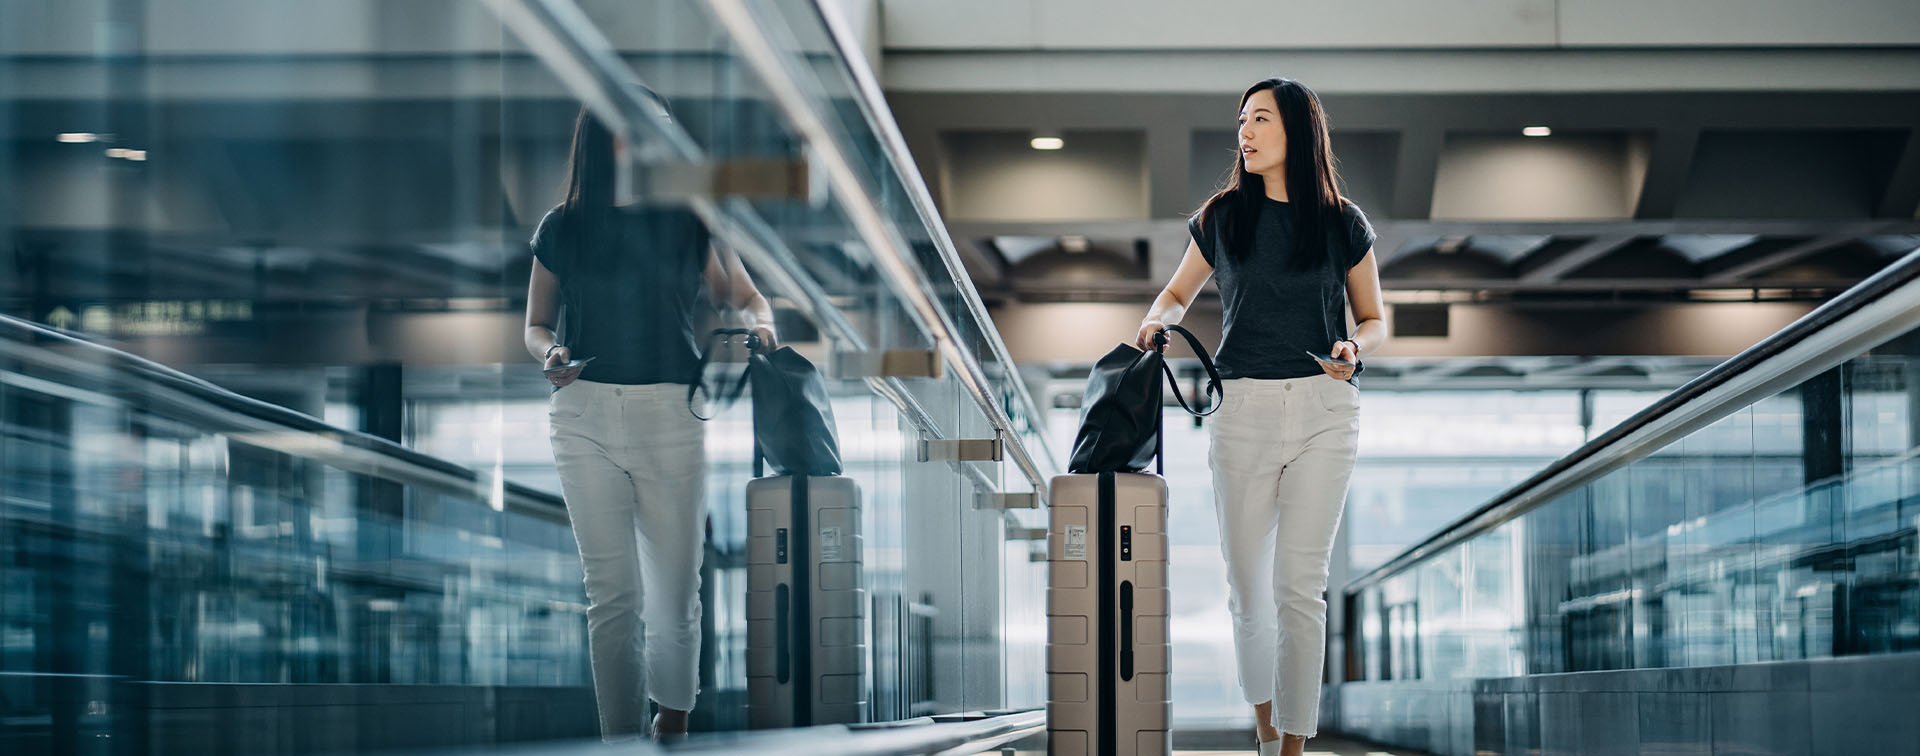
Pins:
x,y
805,603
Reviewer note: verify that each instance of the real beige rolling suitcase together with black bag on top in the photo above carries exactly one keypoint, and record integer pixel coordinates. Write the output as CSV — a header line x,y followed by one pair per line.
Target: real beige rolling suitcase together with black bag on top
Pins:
x,y
1107,552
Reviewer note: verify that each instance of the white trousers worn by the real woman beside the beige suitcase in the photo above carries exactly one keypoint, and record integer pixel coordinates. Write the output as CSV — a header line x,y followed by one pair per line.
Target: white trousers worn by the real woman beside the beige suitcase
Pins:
x,y
1282,456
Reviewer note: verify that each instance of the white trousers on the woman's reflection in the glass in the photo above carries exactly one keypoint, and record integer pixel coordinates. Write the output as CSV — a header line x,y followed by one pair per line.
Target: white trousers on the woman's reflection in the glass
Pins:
x,y
635,473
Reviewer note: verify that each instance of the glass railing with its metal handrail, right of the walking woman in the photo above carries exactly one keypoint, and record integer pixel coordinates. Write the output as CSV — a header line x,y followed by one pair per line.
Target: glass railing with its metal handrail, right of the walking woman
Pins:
x,y
1765,511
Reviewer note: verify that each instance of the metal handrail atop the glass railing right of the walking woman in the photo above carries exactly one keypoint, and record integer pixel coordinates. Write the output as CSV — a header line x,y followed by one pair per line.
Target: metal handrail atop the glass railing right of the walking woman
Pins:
x,y
1881,308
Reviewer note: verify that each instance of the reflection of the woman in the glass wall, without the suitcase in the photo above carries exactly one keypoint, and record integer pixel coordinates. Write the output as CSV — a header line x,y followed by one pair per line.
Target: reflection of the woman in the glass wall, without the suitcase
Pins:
x,y
619,285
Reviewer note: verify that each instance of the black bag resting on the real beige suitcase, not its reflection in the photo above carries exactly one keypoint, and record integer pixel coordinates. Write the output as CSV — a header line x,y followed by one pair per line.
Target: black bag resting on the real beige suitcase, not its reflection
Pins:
x,y
1122,408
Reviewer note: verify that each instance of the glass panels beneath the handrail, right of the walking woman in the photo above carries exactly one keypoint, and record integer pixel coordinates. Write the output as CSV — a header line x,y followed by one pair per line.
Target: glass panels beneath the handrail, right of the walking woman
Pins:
x,y
1783,531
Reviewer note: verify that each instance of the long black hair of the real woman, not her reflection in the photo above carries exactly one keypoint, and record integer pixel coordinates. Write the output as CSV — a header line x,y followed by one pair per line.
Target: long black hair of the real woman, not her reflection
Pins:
x,y
1312,179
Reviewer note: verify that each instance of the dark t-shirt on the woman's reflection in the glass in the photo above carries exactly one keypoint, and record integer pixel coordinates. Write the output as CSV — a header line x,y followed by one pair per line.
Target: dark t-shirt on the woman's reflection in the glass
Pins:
x,y
629,300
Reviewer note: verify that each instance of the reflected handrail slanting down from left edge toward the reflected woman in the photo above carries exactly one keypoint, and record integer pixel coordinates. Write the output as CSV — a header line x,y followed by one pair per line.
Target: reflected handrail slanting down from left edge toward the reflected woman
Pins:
x,y
266,425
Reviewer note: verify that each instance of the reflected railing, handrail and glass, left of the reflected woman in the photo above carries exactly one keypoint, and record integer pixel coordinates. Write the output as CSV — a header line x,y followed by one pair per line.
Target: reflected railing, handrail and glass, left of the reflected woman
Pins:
x,y
241,542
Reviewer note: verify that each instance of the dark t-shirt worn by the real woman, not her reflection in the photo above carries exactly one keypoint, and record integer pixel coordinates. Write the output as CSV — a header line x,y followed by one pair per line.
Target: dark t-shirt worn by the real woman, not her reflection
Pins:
x,y
1274,314
